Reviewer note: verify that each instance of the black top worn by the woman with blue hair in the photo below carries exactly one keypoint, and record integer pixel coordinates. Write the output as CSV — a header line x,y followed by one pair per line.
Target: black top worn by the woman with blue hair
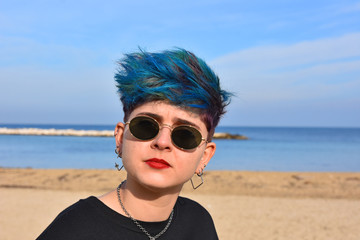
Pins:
x,y
91,219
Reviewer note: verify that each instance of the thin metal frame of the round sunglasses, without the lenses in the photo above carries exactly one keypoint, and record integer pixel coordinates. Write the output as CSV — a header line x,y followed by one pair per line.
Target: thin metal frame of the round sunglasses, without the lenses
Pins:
x,y
160,126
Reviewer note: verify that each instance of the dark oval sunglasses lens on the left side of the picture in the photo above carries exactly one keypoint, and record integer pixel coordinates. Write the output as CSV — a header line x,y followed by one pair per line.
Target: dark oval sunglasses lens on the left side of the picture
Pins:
x,y
143,128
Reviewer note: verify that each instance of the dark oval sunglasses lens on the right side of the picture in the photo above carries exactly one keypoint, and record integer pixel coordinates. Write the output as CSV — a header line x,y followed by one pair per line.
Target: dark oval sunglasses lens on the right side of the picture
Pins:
x,y
186,137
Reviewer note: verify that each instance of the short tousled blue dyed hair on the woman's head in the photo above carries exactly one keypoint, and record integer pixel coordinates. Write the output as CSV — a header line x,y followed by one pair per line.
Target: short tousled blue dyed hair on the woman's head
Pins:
x,y
176,76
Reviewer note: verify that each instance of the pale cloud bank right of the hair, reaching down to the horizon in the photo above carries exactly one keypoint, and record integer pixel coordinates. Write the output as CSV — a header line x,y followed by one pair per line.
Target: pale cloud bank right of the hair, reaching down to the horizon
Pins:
x,y
307,83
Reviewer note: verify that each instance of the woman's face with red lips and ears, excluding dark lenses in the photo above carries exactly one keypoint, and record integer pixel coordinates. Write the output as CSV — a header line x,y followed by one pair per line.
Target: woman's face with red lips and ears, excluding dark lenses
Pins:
x,y
158,163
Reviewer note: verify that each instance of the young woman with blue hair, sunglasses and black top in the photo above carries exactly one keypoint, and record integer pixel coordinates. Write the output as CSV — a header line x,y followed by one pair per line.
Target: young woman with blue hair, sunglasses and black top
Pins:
x,y
172,102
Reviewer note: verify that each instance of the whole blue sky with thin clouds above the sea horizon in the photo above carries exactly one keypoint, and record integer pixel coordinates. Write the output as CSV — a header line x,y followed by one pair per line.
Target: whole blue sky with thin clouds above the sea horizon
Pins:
x,y
290,63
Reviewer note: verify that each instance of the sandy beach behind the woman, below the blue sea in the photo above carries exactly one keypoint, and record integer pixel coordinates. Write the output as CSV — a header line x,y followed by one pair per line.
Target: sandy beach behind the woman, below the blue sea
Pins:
x,y
244,205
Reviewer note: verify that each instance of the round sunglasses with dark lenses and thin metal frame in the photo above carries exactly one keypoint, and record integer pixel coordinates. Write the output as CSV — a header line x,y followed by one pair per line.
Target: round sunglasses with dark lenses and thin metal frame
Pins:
x,y
185,137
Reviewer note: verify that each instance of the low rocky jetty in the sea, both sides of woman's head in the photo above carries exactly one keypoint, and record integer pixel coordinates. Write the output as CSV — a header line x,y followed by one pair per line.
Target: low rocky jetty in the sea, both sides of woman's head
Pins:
x,y
87,133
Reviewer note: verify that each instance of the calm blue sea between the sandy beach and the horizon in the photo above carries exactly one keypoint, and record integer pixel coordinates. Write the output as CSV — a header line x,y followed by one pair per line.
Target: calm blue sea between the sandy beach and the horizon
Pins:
x,y
304,149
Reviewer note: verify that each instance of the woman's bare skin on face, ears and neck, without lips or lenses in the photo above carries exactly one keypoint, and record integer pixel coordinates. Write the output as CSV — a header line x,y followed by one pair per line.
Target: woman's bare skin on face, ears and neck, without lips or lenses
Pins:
x,y
149,193
